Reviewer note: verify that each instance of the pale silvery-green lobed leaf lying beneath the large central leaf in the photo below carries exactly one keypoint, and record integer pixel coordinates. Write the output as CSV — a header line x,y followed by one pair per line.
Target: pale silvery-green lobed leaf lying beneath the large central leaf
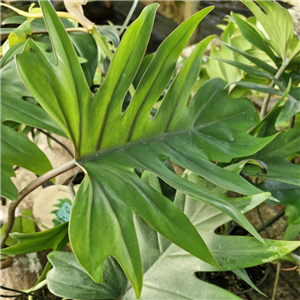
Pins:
x,y
169,272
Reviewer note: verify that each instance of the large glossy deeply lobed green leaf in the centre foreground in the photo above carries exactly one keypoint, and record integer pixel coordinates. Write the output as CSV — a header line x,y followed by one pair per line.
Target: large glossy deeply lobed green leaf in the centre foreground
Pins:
x,y
111,144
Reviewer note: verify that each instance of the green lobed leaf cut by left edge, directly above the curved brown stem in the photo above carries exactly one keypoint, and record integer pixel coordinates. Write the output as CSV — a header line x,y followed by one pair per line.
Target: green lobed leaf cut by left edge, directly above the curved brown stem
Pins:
x,y
16,149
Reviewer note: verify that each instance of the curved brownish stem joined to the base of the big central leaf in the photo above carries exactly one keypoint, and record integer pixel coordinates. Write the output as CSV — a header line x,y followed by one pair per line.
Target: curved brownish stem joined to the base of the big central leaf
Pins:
x,y
27,190
